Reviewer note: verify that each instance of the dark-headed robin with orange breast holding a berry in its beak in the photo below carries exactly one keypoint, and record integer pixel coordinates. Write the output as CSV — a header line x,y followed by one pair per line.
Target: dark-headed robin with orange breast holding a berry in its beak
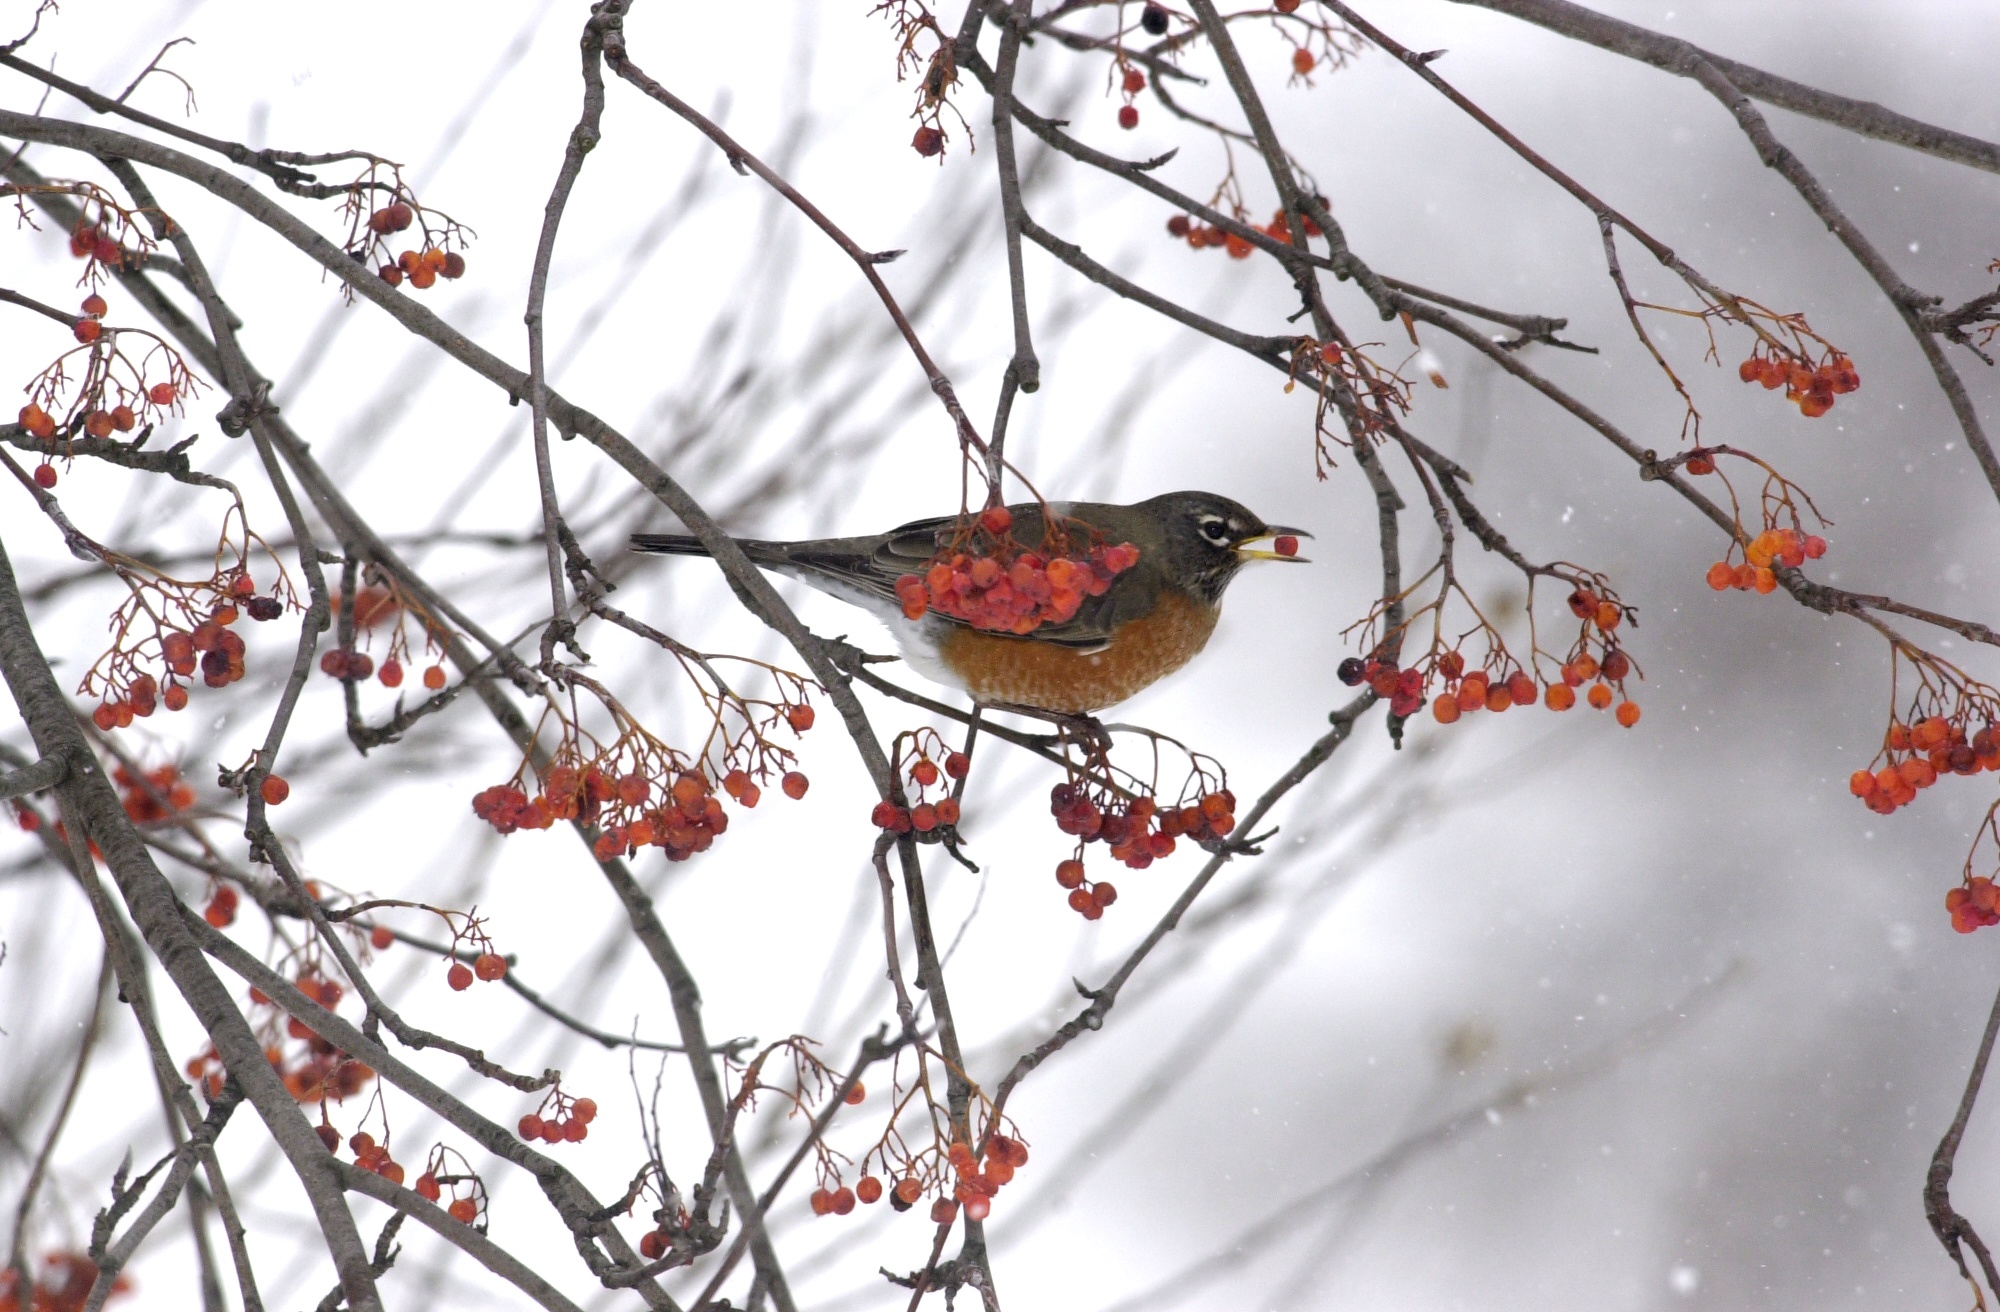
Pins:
x,y
1153,617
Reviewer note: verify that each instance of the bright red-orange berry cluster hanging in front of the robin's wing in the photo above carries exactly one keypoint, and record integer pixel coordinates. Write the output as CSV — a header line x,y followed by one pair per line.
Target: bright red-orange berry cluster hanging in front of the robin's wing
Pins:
x,y
1005,589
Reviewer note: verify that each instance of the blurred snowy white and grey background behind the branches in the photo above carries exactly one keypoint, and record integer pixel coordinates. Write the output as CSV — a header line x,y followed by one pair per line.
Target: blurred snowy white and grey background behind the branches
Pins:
x,y
1533,1013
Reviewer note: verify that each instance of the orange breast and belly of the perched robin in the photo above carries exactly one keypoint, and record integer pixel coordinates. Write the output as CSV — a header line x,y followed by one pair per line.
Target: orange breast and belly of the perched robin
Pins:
x,y
1027,673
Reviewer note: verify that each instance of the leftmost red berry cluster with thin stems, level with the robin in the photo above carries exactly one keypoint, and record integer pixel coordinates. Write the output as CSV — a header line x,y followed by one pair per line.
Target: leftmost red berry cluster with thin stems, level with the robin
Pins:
x,y
191,629
